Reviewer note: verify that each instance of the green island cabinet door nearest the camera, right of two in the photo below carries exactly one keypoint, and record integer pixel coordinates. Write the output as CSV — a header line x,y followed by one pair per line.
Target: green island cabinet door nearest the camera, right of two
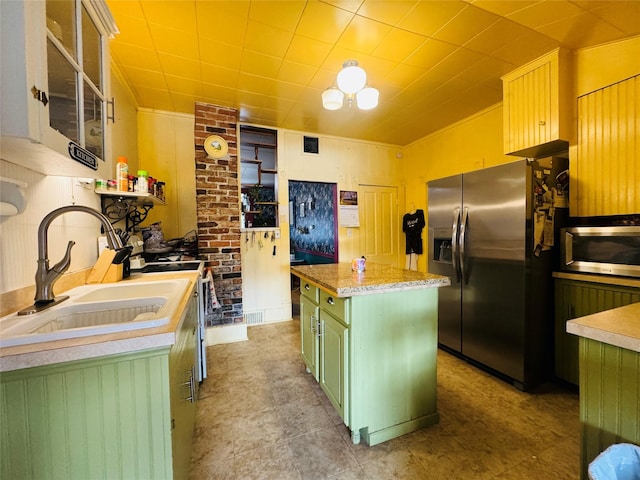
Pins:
x,y
334,340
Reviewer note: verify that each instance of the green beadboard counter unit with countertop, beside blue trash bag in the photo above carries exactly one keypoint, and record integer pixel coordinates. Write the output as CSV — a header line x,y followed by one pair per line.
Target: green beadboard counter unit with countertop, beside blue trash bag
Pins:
x,y
609,379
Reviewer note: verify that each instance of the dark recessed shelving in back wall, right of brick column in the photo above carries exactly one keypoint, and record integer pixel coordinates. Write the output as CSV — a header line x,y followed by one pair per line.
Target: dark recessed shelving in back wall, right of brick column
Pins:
x,y
258,176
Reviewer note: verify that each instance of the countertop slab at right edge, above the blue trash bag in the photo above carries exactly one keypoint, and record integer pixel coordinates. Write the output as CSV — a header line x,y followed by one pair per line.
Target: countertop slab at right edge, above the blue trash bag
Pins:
x,y
619,327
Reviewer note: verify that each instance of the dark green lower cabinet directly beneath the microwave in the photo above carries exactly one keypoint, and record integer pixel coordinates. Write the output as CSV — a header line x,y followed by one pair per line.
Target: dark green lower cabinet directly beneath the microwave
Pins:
x,y
573,299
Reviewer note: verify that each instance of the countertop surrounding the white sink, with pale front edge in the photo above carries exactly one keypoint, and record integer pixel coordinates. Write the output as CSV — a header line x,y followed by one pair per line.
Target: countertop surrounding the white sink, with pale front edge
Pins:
x,y
80,348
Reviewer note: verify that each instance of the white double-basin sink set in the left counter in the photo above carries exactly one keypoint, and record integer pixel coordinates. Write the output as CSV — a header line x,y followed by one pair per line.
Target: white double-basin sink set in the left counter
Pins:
x,y
95,310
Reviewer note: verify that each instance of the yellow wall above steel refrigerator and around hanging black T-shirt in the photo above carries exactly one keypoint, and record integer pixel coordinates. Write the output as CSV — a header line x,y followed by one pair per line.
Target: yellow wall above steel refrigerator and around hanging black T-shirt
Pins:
x,y
474,143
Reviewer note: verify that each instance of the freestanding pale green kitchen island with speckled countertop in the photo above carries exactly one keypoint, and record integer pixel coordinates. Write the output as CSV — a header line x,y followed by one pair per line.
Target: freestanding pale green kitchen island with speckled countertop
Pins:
x,y
370,339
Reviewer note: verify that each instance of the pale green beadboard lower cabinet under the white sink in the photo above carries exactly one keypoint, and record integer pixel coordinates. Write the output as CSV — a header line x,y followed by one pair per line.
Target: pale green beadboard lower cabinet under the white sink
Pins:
x,y
111,417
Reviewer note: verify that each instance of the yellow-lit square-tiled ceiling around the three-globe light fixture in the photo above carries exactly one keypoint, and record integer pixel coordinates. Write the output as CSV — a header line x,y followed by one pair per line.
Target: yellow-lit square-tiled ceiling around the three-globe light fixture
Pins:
x,y
434,62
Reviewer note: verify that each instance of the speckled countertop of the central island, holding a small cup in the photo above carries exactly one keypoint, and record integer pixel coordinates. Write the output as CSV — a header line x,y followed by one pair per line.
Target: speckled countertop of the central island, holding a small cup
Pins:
x,y
339,280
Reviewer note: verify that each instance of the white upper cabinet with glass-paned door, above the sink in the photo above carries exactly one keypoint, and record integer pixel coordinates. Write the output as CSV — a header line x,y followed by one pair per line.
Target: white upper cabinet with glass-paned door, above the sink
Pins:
x,y
54,86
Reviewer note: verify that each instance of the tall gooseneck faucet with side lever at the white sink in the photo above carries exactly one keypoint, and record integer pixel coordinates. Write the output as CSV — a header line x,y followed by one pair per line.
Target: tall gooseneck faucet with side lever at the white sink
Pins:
x,y
45,276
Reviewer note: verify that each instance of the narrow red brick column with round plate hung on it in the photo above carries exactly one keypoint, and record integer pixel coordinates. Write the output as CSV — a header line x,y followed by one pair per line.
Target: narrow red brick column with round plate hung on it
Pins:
x,y
218,209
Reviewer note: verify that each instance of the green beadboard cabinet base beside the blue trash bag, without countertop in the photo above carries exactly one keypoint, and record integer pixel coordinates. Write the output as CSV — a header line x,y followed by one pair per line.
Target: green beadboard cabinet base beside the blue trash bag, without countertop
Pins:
x,y
609,398
